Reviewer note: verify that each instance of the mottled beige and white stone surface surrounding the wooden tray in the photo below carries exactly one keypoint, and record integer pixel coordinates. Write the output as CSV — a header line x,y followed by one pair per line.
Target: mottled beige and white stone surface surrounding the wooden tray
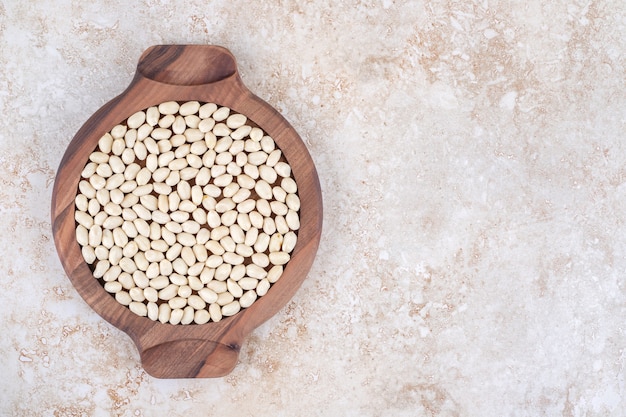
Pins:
x,y
472,159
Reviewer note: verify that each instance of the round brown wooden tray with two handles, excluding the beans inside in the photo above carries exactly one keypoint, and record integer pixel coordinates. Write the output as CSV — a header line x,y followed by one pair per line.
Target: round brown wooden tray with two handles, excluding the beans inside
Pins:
x,y
183,73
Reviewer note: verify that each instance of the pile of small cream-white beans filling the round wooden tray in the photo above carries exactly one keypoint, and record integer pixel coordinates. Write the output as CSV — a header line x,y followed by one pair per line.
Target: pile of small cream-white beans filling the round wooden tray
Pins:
x,y
187,212
